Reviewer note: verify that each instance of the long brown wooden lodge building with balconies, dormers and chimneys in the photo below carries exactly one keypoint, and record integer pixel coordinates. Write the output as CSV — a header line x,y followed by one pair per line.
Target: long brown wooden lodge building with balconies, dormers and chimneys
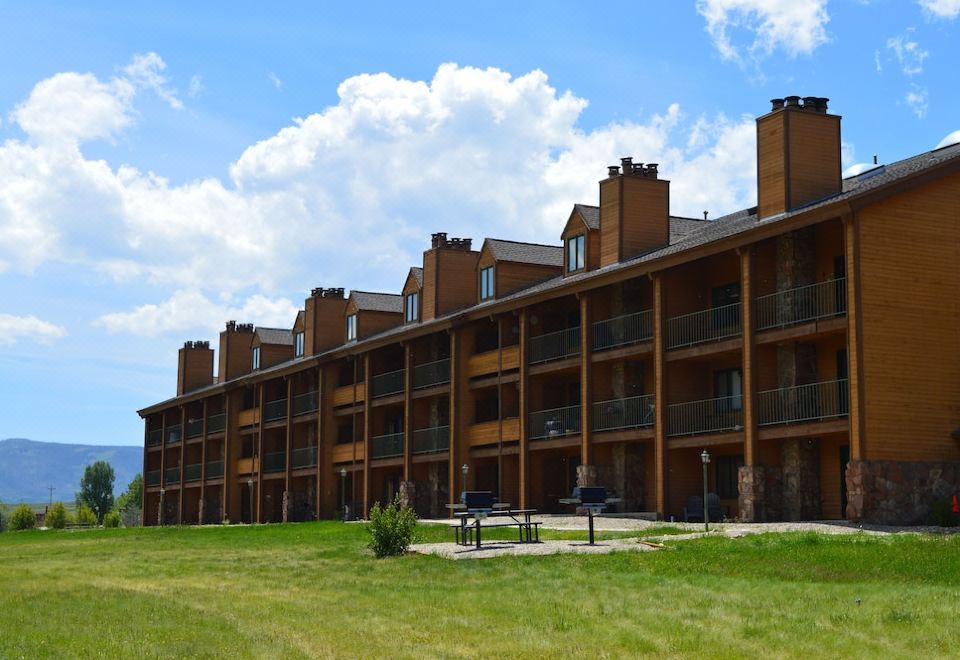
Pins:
x,y
809,343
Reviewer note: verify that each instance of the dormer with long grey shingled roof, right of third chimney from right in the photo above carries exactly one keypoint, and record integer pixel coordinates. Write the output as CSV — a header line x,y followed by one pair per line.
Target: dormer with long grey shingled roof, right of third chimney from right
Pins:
x,y
508,266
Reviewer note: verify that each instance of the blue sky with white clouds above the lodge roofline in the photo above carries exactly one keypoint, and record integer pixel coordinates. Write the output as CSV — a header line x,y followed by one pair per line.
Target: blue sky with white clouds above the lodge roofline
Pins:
x,y
164,171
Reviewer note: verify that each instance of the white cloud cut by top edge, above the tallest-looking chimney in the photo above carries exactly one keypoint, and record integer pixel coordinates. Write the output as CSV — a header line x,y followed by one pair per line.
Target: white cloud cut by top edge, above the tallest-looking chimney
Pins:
x,y
796,26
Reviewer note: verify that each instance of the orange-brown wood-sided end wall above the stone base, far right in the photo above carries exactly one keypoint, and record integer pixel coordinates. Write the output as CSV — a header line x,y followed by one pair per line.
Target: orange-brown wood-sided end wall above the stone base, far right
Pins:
x,y
910,315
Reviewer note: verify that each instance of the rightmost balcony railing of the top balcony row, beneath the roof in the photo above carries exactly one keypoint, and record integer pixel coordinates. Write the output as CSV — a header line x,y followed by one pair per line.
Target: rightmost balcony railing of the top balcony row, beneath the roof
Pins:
x,y
802,304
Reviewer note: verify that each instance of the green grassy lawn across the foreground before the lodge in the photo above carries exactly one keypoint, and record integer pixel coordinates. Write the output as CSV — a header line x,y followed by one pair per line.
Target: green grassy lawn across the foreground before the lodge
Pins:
x,y
313,590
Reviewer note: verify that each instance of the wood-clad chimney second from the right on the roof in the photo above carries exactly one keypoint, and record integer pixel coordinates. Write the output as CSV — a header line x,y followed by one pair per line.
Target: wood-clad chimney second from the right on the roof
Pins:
x,y
634,211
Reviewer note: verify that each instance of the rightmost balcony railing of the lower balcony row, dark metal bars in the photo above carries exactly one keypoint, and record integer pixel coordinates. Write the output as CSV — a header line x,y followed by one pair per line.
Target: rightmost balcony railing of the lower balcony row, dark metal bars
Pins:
x,y
803,403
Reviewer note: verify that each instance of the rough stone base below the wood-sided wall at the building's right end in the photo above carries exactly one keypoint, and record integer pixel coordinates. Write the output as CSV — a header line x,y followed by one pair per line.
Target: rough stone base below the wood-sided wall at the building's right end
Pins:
x,y
898,492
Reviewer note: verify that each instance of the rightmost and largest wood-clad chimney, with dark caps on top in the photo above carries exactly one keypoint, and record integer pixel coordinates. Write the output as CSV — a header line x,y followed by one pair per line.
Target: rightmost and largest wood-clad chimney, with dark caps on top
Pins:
x,y
798,154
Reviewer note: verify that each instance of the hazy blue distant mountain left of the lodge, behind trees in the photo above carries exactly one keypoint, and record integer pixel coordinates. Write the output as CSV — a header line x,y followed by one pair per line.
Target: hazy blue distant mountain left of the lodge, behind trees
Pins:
x,y
28,467
